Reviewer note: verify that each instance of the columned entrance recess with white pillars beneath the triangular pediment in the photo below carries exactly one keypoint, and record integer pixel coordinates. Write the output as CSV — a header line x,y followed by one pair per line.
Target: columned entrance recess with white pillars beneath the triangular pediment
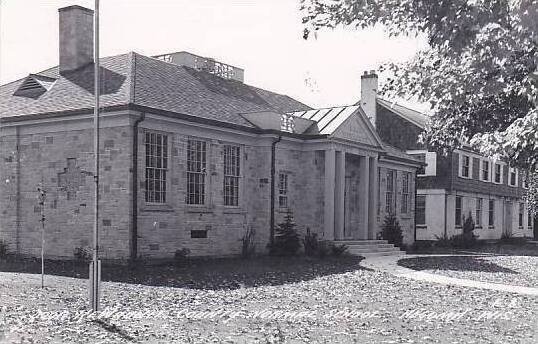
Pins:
x,y
350,195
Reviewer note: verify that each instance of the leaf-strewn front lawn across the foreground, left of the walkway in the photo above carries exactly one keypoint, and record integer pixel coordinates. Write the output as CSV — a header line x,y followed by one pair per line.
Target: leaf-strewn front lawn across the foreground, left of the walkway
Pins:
x,y
286,301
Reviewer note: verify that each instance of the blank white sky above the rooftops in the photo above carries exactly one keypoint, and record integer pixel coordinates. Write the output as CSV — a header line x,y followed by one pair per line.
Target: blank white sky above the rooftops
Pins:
x,y
262,36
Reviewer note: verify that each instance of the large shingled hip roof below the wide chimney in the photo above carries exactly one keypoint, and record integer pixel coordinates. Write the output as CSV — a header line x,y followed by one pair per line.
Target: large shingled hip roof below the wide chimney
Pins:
x,y
136,79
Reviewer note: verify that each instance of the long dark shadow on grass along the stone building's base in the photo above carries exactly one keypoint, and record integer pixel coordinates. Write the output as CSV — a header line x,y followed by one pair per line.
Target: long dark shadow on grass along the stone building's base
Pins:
x,y
207,274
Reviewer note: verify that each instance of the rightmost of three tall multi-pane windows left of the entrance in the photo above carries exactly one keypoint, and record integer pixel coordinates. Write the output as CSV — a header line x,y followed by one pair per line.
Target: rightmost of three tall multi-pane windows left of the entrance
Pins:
x,y
231,175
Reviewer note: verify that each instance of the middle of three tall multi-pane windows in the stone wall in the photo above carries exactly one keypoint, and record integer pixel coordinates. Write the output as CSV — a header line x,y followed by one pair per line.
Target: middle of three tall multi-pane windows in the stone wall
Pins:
x,y
196,171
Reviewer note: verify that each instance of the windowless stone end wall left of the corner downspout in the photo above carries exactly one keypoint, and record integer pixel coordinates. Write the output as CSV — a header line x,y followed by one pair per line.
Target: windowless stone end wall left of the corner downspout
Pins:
x,y
60,158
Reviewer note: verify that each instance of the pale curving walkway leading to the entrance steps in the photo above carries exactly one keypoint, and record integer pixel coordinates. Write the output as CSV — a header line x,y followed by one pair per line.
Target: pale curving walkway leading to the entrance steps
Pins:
x,y
390,265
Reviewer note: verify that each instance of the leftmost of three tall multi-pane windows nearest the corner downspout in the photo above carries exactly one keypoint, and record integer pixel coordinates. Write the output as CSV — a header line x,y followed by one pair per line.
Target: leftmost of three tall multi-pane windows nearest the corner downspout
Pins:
x,y
156,167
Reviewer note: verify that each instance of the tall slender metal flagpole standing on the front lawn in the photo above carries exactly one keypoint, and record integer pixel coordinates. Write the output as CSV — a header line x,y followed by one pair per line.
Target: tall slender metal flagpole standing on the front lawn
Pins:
x,y
95,284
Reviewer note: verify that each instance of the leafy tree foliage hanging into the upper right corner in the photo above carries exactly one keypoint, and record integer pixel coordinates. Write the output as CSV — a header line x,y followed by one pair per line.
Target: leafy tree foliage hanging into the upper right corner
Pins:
x,y
478,72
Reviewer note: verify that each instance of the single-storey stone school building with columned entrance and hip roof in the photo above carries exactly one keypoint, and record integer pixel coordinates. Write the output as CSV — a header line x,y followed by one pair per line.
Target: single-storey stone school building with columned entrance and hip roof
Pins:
x,y
191,157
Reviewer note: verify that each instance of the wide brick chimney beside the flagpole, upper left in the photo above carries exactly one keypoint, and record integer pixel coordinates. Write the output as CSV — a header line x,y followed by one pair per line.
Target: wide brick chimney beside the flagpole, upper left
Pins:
x,y
76,37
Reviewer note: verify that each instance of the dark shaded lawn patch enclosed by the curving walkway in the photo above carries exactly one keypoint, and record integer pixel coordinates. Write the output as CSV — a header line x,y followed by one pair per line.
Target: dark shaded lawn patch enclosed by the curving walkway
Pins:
x,y
454,263
